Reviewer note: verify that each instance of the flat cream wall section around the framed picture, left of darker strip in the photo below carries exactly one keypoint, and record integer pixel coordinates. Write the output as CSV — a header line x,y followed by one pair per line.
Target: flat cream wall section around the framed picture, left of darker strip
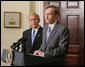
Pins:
x,y
10,35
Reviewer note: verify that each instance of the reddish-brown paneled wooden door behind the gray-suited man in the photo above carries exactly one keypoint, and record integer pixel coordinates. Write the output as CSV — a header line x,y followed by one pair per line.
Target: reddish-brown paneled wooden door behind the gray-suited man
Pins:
x,y
72,15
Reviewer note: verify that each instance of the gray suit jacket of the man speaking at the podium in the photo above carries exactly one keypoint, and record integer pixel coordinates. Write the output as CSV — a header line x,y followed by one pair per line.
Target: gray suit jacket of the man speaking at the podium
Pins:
x,y
58,42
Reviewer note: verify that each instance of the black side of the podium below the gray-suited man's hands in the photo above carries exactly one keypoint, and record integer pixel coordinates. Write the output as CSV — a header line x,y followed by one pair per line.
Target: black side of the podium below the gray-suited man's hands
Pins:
x,y
32,60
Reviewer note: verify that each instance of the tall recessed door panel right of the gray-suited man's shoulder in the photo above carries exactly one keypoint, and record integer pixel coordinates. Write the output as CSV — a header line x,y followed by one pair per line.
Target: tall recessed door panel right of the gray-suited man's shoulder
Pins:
x,y
73,25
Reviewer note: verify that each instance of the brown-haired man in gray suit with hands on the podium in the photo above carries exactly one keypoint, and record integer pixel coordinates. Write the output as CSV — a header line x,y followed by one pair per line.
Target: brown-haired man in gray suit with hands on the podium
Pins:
x,y
55,37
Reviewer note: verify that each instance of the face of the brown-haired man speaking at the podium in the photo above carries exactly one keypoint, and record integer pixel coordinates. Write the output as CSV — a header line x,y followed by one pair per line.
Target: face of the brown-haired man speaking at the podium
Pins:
x,y
50,16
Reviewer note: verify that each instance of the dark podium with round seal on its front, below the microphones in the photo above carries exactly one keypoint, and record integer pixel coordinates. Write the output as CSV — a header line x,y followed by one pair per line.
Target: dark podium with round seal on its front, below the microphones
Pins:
x,y
26,59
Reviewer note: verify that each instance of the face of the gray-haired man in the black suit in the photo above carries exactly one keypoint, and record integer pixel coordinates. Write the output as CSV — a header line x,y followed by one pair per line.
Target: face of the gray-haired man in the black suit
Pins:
x,y
34,21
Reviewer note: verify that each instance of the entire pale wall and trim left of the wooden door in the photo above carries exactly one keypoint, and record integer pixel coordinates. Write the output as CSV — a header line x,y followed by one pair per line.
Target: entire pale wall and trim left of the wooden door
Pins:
x,y
10,35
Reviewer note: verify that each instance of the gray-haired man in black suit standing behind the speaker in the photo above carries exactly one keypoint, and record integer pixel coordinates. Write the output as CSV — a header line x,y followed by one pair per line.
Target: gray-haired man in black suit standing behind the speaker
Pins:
x,y
33,35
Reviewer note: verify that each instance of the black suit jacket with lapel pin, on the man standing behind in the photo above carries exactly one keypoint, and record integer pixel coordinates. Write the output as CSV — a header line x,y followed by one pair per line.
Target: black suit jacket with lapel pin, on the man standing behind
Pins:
x,y
26,47
